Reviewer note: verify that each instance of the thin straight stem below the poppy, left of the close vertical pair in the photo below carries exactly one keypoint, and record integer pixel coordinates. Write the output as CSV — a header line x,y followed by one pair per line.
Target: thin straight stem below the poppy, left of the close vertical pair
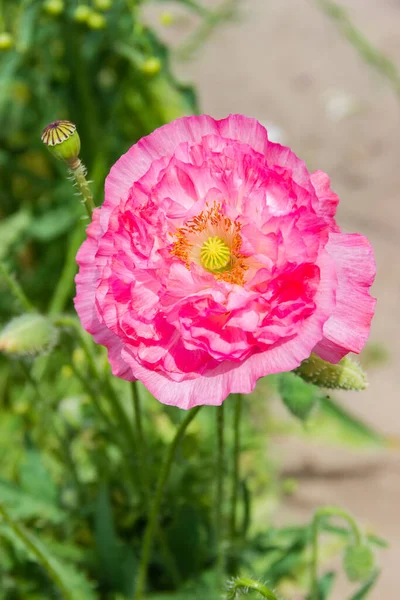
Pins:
x,y
219,495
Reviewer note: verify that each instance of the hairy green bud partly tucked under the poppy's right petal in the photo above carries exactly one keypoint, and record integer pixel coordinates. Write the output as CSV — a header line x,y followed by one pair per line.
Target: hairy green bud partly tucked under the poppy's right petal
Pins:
x,y
345,375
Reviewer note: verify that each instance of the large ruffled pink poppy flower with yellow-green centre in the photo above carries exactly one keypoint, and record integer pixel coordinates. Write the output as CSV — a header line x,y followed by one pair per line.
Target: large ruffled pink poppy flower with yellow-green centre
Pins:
x,y
215,260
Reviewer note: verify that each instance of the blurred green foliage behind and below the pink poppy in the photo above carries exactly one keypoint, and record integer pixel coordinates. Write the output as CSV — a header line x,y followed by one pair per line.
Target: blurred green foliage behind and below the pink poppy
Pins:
x,y
75,483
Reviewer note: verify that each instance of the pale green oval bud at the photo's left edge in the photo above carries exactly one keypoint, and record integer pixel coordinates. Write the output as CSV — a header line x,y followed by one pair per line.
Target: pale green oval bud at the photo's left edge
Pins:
x,y
28,335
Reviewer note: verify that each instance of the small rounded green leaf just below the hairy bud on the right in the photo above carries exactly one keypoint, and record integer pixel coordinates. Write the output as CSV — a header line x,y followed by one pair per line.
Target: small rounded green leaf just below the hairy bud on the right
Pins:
x,y
299,397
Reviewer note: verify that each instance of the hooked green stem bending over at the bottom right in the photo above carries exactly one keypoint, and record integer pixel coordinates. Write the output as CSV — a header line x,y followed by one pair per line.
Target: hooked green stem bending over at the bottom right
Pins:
x,y
320,514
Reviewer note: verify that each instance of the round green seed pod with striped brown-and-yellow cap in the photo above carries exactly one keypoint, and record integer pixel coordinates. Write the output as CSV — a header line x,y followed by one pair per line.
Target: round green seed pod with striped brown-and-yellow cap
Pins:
x,y
62,140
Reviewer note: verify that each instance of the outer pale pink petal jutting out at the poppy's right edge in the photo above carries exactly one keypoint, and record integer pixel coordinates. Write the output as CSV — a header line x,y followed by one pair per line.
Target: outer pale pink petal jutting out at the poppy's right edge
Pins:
x,y
348,328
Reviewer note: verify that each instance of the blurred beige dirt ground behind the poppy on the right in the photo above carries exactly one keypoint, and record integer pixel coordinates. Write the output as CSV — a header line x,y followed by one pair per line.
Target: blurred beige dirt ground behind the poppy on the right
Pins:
x,y
285,63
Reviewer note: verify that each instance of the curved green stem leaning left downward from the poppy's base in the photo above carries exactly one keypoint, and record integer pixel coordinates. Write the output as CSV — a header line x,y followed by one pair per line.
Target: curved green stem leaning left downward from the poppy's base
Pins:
x,y
156,503
